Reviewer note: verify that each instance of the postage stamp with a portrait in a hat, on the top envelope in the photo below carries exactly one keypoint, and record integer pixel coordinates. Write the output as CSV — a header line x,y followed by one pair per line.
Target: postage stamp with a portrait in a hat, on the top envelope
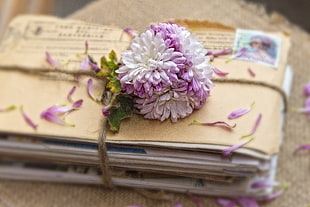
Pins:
x,y
257,46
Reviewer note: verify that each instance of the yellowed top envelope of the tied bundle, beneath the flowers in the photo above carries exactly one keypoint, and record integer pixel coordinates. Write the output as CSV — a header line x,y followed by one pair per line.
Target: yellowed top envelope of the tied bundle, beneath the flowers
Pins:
x,y
29,37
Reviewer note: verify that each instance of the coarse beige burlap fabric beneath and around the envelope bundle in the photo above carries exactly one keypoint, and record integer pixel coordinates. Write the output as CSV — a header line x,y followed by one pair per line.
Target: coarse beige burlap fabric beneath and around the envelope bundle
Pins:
x,y
137,15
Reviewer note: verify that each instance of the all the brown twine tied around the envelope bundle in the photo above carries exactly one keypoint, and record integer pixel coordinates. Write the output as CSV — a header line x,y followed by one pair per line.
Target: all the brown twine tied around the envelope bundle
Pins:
x,y
102,148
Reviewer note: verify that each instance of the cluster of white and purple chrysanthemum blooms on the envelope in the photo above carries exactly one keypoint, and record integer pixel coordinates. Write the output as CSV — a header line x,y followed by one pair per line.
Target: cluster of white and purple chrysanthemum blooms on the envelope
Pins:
x,y
168,70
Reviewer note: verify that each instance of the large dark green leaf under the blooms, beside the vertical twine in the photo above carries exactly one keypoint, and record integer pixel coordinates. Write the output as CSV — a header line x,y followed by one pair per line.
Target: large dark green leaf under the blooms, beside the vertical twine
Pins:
x,y
125,110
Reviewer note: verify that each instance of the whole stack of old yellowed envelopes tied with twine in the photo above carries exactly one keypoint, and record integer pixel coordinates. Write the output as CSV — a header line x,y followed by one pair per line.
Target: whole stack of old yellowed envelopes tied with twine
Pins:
x,y
182,156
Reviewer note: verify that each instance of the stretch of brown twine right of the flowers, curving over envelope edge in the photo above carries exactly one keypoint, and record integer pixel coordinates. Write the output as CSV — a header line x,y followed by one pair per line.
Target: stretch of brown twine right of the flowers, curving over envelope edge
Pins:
x,y
258,83
